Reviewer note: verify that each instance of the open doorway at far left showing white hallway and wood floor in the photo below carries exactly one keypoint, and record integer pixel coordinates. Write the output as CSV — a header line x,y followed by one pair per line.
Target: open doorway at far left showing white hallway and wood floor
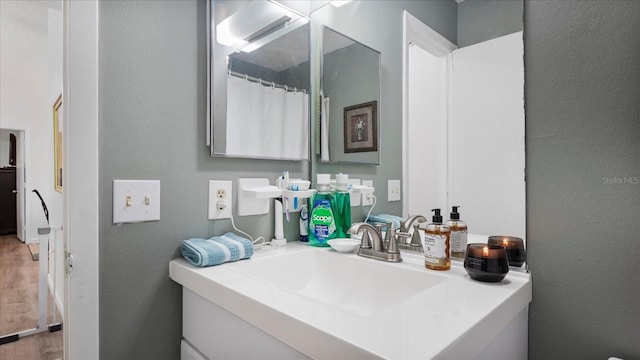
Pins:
x,y
31,71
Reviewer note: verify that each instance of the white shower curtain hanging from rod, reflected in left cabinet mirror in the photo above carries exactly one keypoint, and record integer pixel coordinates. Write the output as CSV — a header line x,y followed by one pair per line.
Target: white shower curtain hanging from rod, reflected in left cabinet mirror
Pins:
x,y
266,122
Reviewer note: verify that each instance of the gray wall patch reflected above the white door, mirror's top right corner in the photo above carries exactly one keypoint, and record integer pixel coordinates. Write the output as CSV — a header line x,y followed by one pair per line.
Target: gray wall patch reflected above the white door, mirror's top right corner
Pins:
x,y
482,20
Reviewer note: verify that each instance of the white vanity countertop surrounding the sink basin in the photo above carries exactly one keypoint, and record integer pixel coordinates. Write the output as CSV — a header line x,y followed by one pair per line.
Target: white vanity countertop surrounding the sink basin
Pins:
x,y
452,319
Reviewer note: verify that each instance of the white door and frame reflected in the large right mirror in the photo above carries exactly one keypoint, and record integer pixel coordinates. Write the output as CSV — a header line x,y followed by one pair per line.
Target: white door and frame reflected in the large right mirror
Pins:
x,y
465,140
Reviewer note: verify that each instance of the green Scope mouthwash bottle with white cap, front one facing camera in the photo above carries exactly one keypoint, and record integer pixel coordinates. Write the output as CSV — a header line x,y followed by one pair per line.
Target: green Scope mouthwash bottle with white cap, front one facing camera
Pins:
x,y
322,225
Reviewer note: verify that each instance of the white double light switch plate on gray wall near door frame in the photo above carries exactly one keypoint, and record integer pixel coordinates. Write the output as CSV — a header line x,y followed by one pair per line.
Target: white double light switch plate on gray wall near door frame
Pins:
x,y
136,201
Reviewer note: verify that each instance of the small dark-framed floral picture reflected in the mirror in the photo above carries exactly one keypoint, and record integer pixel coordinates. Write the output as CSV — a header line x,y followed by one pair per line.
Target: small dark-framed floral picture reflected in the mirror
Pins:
x,y
360,127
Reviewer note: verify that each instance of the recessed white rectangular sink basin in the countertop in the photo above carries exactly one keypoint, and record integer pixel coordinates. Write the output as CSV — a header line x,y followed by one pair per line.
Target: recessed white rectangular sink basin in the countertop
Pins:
x,y
350,283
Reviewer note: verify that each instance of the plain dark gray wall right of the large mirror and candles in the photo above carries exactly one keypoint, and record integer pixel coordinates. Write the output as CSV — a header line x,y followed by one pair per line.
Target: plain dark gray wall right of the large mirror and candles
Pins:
x,y
582,133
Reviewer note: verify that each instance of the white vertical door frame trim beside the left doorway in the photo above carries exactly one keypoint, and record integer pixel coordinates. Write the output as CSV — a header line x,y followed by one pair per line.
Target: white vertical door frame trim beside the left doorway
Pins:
x,y
81,221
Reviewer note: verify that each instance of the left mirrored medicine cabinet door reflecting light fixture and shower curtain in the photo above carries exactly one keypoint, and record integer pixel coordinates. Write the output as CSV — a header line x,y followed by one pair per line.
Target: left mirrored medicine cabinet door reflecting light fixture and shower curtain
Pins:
x,y
259,81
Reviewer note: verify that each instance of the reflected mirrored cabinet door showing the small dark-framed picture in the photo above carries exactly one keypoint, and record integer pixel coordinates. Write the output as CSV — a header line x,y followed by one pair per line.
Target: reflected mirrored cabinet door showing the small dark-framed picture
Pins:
x,y
351,100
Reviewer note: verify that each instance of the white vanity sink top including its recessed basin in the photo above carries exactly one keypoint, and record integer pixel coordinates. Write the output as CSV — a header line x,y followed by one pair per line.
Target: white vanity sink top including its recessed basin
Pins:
x,y
331,305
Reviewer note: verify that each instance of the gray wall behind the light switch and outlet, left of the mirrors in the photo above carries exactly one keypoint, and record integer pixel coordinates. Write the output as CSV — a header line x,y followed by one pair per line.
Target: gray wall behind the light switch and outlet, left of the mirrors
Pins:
x,y
152,75
